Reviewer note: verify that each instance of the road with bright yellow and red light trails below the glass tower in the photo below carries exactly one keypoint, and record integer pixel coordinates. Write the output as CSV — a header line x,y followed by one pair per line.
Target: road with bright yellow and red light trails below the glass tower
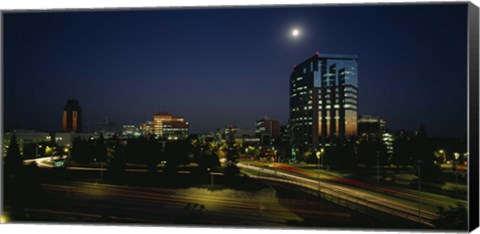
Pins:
x,y
401,203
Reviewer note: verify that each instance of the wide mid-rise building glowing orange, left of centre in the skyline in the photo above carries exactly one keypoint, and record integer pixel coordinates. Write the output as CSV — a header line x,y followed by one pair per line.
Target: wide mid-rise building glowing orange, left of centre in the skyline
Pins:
x,y
170,127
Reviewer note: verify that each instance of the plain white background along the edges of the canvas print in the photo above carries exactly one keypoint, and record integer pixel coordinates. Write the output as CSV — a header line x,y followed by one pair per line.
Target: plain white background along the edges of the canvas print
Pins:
x,y
92,4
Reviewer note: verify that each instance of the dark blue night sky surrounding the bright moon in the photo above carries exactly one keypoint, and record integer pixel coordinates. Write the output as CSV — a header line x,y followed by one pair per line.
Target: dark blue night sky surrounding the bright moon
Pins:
x,y
222,66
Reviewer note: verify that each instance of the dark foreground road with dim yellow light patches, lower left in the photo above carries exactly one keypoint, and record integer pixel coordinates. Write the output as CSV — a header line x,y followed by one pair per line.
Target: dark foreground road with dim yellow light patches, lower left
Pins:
x,y
98,202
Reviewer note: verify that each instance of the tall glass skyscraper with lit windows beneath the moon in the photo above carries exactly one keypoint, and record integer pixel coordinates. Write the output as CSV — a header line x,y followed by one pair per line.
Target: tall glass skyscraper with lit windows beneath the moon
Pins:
x,y
323,99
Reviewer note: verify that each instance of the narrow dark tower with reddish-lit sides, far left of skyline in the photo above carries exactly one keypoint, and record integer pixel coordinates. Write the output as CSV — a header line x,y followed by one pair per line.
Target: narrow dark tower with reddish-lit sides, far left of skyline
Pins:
x,y
72,117
